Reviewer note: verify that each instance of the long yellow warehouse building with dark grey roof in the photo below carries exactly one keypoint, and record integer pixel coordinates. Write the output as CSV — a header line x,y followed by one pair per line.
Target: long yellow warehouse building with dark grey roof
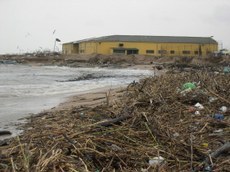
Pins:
x,y
143,45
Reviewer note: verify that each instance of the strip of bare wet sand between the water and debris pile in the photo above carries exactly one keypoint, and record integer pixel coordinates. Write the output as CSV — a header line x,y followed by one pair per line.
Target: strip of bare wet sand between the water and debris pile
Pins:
x,y
90,98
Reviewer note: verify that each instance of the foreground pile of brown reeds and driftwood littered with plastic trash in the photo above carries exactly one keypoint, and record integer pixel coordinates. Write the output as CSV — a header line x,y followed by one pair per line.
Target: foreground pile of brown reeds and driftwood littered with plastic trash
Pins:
x,y
173,122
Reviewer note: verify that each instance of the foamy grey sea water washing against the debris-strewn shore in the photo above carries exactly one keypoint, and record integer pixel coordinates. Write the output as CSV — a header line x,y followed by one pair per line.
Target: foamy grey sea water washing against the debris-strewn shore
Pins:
x,y
26,89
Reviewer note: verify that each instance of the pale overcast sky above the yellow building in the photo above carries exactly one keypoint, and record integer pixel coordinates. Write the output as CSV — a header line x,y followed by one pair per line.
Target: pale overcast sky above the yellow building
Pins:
x,y
30,25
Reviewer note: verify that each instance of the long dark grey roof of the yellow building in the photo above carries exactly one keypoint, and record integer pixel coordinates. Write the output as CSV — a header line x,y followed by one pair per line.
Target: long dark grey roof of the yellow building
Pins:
x,y
157,39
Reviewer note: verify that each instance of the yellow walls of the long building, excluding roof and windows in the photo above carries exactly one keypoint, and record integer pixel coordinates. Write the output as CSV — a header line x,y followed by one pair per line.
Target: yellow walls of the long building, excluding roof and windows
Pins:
x,y
178,48
